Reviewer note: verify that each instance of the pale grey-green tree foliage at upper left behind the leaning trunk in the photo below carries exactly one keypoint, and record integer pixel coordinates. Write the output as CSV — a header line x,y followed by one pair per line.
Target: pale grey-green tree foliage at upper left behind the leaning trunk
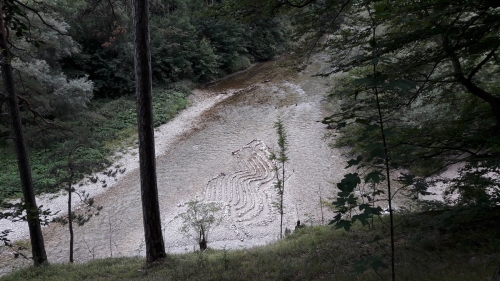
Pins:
x,y
39,43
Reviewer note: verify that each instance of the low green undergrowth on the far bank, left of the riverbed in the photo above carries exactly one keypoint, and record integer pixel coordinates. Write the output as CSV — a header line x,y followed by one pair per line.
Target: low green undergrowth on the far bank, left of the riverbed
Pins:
x,y
100,130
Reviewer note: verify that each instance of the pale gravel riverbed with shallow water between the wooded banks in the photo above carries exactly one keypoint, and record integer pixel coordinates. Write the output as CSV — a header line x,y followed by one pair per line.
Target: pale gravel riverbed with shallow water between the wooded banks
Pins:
x,y
216,151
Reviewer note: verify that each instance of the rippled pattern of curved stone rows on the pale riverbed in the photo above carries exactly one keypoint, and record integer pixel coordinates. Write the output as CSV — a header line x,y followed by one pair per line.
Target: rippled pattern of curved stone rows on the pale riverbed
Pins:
x,y
247,193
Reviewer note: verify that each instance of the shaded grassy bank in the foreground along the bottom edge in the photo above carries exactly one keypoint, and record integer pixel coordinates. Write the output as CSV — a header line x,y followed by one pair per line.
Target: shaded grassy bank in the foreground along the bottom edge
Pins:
x,y
459,244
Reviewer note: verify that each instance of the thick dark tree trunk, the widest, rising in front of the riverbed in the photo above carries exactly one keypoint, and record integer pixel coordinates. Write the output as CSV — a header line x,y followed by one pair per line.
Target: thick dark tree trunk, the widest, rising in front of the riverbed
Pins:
x,y
155,247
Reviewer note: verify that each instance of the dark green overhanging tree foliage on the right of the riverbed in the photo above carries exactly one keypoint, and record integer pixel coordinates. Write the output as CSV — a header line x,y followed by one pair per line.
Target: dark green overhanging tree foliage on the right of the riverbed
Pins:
x,y
435,72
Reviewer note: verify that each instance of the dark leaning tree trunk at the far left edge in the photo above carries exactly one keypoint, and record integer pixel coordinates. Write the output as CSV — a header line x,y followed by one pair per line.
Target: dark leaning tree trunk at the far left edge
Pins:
x,y
32,214
